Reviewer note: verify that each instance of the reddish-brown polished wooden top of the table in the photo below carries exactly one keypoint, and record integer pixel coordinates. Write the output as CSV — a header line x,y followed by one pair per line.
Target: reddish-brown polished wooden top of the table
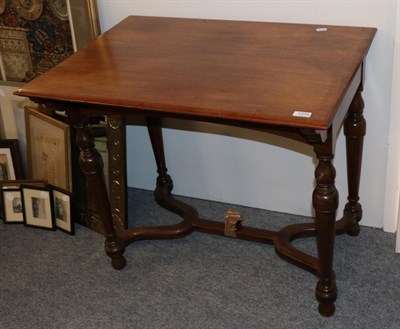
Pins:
x,y
245,71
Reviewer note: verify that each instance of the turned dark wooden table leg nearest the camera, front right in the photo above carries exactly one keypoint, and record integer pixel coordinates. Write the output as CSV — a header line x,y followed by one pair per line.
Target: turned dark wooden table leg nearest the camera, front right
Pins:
x,y
325,202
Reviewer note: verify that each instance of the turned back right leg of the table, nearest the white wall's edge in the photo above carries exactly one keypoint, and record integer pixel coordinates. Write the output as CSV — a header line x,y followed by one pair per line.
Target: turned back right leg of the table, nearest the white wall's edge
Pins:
x,y
354,129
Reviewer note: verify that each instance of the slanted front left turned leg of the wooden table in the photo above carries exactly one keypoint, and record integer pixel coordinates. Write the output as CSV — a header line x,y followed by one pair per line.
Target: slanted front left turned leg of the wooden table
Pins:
x,y
91,165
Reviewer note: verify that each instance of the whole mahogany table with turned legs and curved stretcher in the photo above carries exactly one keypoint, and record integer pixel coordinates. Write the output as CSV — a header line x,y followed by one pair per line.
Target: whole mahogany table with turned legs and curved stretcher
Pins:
x,y
298,81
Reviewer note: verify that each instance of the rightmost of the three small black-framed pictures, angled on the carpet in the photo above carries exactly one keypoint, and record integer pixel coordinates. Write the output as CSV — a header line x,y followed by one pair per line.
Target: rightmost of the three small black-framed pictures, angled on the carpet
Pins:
x,y
62,210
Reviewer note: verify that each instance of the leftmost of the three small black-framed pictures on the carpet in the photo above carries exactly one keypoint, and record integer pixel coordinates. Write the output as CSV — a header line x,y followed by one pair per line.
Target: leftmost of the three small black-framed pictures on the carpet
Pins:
x,y
13,211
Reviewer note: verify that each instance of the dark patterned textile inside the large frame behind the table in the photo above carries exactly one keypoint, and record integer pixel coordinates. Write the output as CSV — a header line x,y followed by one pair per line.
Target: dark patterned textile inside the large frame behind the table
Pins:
x,y
35,35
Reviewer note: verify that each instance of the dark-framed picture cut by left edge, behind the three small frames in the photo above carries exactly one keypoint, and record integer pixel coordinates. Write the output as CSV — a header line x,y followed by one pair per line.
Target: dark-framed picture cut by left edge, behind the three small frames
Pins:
x,y
10,161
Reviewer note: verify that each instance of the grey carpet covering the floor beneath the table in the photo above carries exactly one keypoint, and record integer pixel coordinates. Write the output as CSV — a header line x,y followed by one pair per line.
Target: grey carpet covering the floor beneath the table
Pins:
x,y
52,280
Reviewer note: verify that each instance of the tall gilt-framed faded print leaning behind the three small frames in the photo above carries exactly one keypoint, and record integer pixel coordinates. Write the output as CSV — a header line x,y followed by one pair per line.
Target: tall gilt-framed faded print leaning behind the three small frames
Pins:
x,y
48,149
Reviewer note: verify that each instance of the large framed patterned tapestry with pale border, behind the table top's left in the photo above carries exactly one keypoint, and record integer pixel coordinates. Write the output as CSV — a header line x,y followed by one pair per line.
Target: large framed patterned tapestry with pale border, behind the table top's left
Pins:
x,y
36,35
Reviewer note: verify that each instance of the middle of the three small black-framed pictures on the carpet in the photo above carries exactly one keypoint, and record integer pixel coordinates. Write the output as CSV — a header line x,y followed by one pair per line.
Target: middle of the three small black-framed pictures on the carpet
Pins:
x,y
38,207
